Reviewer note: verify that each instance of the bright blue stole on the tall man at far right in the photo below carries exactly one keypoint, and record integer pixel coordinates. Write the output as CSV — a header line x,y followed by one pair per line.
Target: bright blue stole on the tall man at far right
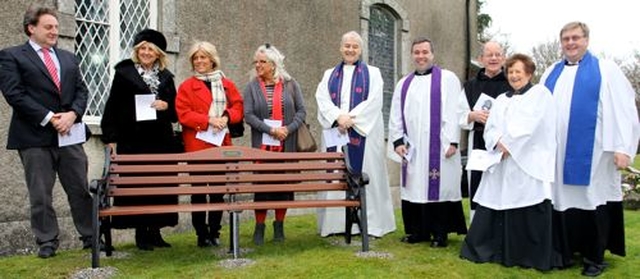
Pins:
x,y
582,119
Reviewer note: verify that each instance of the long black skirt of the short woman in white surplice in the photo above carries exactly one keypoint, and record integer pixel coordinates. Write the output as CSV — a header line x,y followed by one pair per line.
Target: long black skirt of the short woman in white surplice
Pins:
x,y
513,237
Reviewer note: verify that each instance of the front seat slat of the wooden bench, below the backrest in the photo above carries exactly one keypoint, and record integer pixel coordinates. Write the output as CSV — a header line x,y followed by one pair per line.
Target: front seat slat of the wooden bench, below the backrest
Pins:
x,y
238,206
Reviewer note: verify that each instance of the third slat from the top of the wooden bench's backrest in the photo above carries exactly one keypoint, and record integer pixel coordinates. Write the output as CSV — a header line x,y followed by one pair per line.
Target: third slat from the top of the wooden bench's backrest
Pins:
x,y
223,179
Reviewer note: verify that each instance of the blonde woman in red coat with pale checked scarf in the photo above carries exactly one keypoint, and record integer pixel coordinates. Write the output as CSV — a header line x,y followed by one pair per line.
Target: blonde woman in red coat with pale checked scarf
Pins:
x,y
207,102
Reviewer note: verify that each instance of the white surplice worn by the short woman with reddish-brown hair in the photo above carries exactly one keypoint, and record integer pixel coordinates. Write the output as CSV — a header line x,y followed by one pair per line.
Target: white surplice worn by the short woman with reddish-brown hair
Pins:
x,y
525,124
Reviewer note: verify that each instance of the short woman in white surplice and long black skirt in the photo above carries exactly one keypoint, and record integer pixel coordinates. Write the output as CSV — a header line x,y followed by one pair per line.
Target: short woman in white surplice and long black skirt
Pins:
x,y
512,223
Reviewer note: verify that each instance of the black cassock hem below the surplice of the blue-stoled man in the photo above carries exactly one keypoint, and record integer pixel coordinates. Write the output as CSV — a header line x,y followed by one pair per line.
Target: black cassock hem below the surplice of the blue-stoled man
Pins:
x,y
589,232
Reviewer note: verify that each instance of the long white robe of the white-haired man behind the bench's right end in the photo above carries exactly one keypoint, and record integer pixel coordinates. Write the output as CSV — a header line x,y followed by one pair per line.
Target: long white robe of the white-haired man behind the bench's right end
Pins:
x,y
368,123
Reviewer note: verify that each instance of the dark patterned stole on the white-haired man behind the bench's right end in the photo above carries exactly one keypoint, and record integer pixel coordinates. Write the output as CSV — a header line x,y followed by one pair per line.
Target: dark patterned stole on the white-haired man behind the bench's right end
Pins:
x,y
359,93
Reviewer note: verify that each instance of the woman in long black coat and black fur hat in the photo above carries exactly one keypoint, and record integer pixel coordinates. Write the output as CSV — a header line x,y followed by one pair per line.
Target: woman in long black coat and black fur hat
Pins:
x,y
144,74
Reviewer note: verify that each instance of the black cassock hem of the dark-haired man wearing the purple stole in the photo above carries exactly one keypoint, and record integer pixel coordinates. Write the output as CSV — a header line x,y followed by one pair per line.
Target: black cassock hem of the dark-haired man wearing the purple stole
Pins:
x,y
427,220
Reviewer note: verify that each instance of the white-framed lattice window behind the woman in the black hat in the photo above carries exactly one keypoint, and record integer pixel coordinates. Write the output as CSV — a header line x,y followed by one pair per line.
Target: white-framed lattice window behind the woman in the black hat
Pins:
x,y
104,34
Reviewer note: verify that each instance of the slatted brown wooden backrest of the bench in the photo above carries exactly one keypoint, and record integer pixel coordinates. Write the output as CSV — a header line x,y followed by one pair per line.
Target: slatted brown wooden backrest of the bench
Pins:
x,y
232,169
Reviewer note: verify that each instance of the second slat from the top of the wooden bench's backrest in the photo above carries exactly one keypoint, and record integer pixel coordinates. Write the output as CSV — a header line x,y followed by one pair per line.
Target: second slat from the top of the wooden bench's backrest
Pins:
x,y
243,167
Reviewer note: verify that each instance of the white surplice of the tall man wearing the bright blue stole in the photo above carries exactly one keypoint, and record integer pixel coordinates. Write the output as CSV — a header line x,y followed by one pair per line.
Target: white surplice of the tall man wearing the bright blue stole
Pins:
x,y
617,130
